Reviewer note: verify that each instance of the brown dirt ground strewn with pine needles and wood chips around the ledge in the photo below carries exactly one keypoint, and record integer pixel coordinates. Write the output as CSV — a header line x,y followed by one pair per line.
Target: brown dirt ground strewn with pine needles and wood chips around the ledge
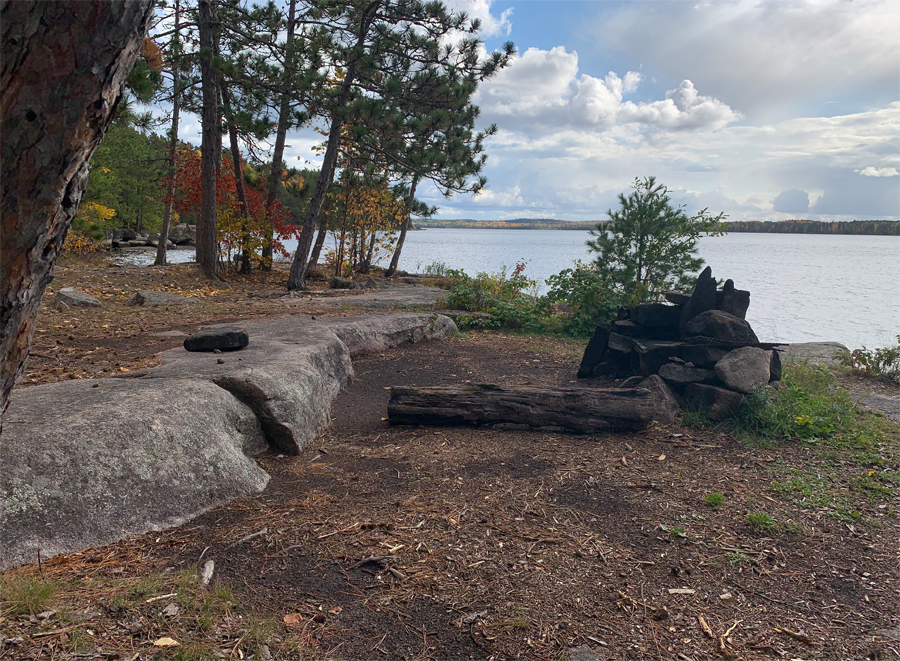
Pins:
x,y
432,543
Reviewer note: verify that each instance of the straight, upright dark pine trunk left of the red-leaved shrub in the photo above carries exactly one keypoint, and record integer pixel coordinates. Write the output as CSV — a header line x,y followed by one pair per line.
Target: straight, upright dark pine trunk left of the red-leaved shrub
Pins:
x,y
207,245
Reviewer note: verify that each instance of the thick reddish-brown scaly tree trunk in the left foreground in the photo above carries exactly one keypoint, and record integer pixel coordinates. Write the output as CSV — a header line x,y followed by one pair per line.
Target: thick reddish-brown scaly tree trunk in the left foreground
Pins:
x,y
63,67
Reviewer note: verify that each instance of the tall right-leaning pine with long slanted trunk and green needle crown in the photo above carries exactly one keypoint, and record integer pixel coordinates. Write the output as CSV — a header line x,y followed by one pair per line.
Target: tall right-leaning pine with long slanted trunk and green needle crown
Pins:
x,y
384,50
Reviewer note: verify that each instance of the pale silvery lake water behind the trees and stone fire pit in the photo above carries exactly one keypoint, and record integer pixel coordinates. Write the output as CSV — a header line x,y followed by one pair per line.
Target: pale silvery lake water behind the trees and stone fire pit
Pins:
x,y
804,288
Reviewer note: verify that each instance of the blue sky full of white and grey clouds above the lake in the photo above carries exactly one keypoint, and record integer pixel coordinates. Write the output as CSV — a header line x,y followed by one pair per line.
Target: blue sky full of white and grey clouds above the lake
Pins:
x,y
761,109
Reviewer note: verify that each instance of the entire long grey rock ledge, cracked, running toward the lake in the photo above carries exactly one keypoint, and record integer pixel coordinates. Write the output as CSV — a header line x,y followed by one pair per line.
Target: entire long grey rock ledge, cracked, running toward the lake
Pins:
x,y
88,462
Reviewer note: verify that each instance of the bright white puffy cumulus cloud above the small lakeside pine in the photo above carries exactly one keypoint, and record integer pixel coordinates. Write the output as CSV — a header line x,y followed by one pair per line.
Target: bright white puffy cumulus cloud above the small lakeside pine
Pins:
x,y
541,90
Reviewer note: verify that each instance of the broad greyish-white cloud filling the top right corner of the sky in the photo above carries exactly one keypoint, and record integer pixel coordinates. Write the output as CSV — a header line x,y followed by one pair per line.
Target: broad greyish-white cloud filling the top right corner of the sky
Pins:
x,y
765,57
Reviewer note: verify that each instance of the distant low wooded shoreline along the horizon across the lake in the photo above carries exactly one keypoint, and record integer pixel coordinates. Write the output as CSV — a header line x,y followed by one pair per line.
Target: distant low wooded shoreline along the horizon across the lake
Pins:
x,y
852,228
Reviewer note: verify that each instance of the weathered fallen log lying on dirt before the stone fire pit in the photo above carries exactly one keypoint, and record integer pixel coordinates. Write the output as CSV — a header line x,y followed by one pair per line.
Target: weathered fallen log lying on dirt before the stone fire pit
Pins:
x,y
582,410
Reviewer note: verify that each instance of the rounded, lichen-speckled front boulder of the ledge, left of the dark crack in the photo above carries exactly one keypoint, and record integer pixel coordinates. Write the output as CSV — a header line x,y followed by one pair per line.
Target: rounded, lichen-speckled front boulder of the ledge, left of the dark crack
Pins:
x,y
84,466
